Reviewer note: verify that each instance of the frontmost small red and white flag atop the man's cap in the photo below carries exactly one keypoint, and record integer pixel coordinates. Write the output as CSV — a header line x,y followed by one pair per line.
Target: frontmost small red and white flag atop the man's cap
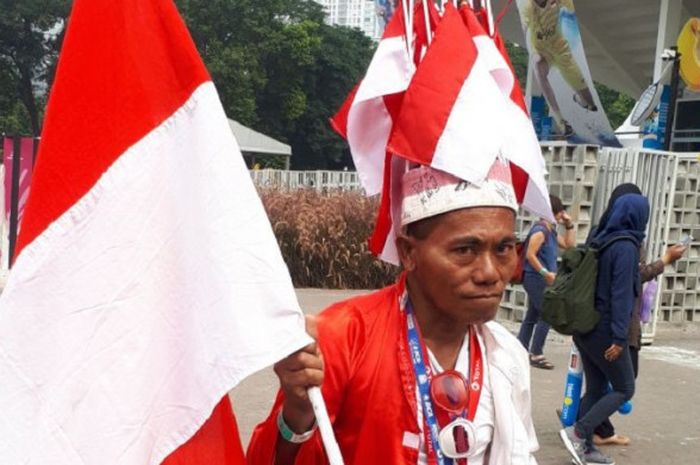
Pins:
x,y
457,114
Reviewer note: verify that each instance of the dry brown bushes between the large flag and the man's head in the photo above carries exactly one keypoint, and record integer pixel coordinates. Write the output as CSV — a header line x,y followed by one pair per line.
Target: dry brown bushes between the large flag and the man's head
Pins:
x,y
323,238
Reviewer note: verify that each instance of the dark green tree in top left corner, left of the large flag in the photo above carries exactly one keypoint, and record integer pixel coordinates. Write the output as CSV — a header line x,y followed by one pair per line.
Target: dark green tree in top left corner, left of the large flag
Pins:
x,y
31,32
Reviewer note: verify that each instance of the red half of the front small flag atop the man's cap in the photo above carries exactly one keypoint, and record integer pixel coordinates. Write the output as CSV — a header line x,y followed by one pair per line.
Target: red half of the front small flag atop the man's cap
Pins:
x,y
435,86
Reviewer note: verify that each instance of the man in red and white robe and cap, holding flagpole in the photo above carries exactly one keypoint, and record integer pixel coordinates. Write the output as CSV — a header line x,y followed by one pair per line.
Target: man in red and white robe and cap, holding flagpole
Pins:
x,y
424,344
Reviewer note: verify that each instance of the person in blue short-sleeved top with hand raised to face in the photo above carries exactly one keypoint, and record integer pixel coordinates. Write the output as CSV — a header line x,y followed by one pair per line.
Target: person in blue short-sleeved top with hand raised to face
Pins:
x,y
539,271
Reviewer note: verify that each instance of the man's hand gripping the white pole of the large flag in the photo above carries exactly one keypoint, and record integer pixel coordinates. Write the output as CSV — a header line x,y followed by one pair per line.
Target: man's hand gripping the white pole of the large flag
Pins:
x,y
296,373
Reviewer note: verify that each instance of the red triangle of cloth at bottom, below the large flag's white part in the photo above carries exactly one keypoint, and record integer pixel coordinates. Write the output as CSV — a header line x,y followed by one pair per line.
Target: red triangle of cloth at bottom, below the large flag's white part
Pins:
x,y
217,442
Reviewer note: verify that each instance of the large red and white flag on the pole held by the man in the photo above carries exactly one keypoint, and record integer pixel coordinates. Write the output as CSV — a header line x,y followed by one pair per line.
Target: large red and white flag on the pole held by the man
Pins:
x,y
148,281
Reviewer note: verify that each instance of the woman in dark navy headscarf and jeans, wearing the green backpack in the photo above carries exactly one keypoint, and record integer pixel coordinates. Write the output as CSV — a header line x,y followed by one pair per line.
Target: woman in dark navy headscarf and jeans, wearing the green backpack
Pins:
x,y
605,351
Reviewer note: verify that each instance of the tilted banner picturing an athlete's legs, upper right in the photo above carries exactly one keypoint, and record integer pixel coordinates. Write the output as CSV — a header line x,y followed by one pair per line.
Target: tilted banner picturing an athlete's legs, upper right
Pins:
x,y
559,63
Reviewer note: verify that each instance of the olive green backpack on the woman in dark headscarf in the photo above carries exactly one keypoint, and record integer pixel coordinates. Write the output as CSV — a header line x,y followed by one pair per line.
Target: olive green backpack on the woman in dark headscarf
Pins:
x,y
568,305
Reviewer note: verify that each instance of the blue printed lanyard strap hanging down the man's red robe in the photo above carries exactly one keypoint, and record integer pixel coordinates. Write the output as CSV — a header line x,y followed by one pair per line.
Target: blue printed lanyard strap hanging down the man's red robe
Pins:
x,y
423,384
